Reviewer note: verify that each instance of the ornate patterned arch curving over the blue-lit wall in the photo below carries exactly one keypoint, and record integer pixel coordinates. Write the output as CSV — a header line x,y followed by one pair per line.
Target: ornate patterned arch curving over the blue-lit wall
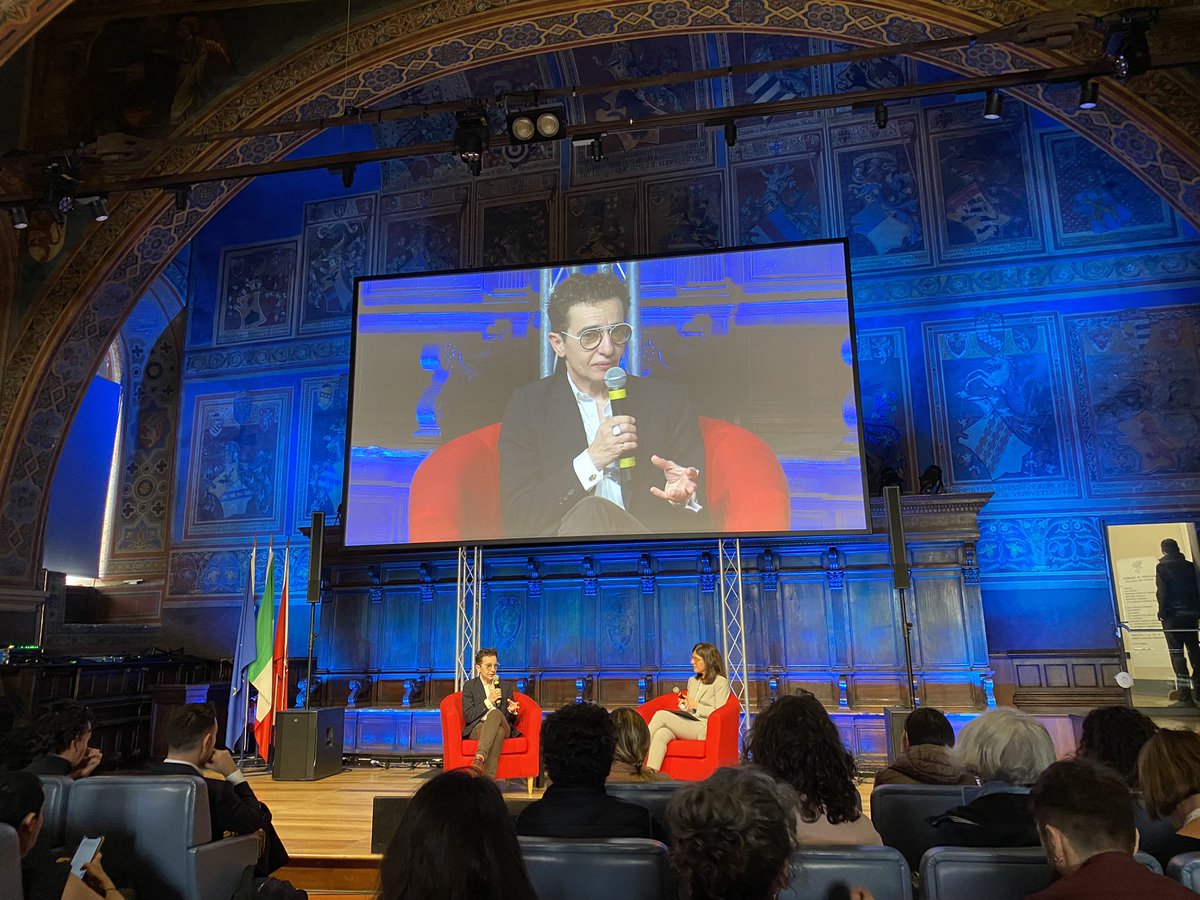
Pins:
x,y
86,299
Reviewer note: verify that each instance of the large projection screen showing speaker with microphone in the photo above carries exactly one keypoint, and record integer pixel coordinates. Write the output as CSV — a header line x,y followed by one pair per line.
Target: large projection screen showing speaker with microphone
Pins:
x,y
473,395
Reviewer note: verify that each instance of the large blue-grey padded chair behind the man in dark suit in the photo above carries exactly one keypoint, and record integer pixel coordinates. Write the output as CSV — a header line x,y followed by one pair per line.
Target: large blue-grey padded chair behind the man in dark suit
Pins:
x,y
158,837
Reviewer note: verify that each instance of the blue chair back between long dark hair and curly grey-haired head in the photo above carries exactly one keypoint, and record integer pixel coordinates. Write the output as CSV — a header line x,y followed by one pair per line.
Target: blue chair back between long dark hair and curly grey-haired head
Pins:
x,y
627,868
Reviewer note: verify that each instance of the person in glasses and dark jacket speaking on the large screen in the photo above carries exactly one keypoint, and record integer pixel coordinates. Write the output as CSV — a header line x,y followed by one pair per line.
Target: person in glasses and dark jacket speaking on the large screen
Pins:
x,y
561,446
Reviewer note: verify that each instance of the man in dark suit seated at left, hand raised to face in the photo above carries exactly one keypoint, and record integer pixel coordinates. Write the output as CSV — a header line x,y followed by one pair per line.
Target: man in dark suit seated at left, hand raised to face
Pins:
x,y
233,808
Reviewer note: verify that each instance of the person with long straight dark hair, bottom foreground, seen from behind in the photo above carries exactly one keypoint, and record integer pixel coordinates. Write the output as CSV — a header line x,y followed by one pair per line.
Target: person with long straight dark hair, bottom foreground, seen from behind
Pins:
x,y
455,843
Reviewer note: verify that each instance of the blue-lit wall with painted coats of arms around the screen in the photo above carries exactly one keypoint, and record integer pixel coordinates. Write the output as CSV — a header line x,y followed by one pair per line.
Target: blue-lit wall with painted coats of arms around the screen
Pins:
x,y
1027,309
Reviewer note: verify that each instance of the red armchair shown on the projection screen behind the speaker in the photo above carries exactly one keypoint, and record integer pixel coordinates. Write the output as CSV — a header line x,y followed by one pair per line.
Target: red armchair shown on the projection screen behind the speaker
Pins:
x,y
457,493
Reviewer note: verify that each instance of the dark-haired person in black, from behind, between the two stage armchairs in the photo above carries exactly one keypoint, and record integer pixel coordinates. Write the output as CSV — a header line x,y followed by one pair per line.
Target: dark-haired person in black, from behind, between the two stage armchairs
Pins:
x,y
577,753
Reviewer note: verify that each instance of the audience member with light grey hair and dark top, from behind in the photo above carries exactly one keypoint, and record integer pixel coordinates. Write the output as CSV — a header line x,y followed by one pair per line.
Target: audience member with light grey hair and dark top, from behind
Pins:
x,y
1006,751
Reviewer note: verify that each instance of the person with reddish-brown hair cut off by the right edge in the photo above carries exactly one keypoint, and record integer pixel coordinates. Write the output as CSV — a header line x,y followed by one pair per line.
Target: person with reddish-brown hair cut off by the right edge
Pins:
x,y
1169,772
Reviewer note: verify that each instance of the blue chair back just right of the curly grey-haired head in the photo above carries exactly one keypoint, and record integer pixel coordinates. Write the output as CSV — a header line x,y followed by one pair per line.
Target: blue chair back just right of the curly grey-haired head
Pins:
x,y
881,871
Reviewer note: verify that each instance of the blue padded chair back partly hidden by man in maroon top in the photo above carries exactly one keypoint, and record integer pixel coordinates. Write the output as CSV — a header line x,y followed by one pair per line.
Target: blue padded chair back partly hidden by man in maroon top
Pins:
x,y
992,874
